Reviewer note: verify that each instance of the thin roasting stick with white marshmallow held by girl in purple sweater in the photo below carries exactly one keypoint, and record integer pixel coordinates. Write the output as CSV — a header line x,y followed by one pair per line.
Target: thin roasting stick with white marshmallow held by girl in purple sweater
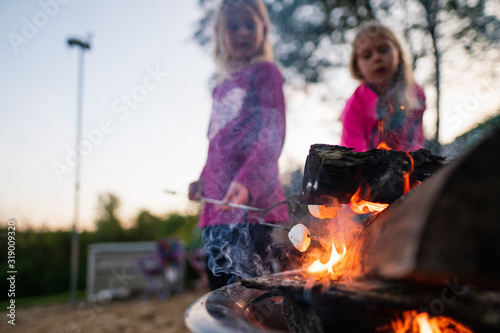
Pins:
x,y
299,235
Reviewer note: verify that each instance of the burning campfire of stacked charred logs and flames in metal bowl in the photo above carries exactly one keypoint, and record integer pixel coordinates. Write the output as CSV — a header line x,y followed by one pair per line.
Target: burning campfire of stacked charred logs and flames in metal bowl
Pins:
x,y
410,245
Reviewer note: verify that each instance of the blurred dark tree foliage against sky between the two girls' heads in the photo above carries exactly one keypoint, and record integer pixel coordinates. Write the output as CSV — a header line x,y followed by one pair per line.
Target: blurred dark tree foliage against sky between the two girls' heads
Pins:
x,y
308,33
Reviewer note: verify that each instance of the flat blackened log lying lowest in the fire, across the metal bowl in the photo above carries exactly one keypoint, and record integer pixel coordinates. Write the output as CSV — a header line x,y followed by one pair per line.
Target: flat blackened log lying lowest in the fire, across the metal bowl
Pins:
x,y
371,304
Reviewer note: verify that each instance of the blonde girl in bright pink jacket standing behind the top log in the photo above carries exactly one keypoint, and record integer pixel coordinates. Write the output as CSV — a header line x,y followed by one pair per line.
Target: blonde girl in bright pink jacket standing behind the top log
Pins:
x,y
386,110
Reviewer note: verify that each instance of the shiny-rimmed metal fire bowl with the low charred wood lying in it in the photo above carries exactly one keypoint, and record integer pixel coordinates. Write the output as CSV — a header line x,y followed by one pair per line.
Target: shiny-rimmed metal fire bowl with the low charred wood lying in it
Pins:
x,y
284,302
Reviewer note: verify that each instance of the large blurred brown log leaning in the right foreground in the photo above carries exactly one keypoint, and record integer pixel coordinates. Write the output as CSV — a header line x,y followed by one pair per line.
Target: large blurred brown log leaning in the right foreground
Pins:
x,y
445,229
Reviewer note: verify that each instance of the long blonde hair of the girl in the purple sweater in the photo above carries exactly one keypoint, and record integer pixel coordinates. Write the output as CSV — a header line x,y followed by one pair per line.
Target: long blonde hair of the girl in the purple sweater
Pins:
x,y
222,55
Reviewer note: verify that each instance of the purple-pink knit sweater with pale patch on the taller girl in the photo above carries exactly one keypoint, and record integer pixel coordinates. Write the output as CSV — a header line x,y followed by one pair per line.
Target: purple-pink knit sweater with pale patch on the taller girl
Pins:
x,y
246,135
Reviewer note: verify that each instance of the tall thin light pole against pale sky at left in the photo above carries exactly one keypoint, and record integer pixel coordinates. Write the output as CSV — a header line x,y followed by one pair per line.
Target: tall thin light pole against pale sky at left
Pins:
x,y
84,46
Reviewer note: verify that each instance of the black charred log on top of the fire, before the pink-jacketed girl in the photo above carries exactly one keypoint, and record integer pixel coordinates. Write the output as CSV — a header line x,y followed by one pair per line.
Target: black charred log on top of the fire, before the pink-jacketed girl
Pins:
x,y
338,172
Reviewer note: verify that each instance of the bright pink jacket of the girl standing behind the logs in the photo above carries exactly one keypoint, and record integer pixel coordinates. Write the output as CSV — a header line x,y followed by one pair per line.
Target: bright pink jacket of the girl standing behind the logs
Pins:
x,y
360,127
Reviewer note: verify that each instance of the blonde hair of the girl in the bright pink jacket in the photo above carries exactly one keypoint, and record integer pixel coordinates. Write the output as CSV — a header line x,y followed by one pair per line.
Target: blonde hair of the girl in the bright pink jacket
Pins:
x,y
405,78
